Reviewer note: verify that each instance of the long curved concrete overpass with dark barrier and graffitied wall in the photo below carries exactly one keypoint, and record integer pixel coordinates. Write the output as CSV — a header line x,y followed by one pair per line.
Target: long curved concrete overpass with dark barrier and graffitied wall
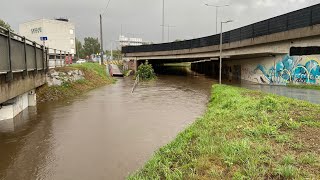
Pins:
x,y
278,50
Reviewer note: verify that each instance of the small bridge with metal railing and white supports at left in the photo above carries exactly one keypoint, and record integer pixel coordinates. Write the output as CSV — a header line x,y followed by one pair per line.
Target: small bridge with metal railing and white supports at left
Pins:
x,y
23,67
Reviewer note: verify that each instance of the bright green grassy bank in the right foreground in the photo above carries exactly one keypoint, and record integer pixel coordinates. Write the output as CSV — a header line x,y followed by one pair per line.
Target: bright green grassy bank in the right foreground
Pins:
x,y
244,134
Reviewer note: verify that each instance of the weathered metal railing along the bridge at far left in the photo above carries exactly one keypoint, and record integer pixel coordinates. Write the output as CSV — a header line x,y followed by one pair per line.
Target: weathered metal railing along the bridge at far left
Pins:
x,y
21,55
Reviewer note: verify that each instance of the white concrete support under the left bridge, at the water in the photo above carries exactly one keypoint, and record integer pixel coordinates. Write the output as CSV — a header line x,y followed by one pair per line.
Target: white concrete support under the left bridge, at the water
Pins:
x,y
13,107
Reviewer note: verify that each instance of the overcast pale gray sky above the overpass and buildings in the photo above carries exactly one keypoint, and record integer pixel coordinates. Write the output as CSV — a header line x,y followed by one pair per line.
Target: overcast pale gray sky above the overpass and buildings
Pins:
x,y
142,18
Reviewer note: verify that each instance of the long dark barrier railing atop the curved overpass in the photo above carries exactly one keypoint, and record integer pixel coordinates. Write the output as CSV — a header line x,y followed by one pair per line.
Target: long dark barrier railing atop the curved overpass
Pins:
x,y
297,19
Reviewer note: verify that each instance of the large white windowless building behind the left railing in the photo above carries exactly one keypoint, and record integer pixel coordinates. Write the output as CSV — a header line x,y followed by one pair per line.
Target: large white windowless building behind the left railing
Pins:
x,y
60,34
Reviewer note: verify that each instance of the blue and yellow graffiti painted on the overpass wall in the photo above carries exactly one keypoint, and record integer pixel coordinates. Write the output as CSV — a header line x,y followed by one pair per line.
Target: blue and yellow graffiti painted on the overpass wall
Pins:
x,y
291,70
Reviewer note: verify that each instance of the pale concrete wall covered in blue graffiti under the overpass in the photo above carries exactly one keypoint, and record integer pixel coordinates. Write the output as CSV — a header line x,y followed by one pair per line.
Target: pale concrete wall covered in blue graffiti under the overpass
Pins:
x,y
279,69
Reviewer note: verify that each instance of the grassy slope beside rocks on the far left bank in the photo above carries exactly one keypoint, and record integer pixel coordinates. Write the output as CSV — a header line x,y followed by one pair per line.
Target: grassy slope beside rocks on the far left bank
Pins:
x,y
94,74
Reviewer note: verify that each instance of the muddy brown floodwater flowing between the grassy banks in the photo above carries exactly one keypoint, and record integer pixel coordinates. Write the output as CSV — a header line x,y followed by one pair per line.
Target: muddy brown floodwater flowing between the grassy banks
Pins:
x,y
105,134
